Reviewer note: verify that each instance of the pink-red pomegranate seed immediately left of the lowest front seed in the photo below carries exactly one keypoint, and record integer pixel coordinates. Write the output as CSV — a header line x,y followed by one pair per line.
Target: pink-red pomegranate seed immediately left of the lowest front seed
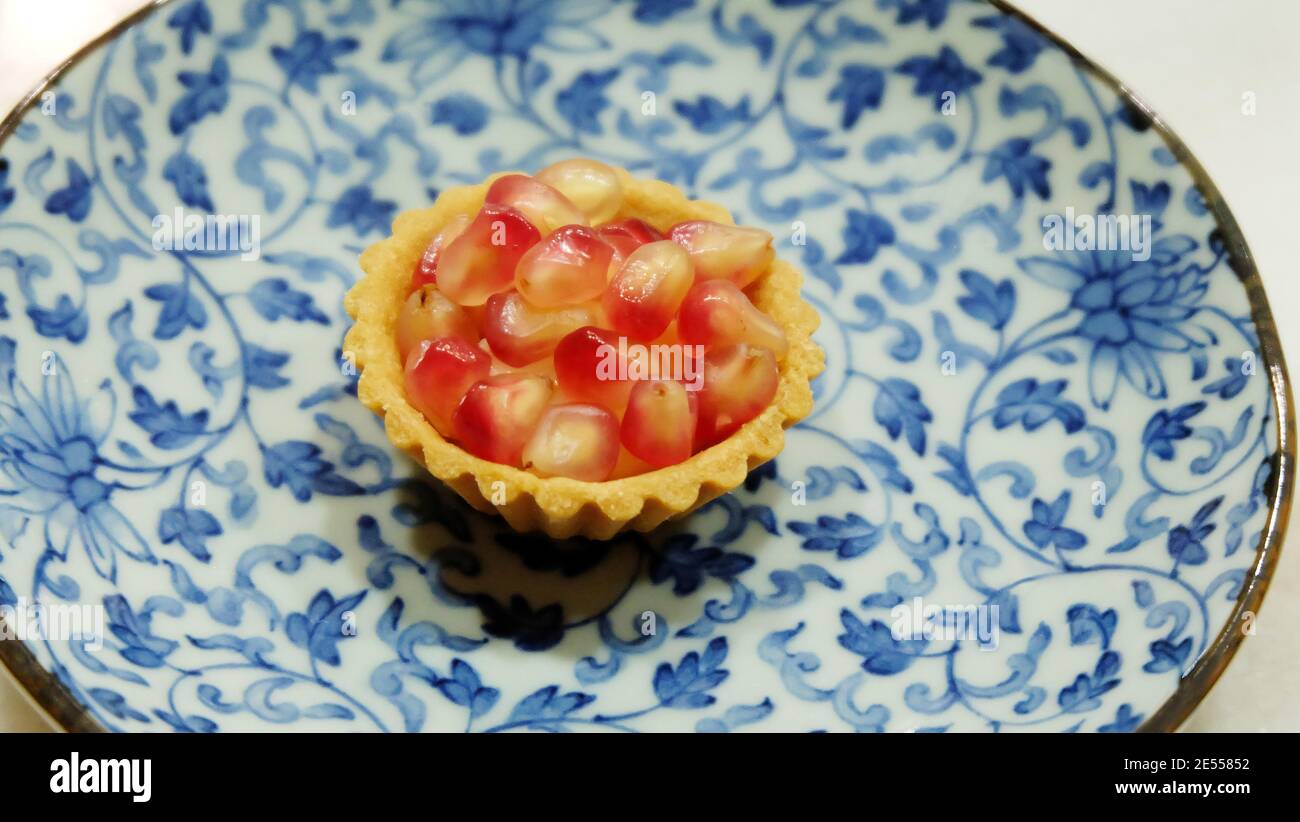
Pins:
x,y
500,414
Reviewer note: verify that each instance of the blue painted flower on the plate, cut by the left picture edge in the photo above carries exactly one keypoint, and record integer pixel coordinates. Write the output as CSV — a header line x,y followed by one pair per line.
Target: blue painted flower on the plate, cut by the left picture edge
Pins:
x,y
50,466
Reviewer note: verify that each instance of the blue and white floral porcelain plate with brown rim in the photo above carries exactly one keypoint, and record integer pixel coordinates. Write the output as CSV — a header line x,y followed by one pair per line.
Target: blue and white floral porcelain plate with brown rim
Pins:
x,y
1043,488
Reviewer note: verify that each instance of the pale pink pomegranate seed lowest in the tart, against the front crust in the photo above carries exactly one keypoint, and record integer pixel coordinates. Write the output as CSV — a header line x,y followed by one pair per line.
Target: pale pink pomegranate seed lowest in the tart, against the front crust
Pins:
x,y
578,442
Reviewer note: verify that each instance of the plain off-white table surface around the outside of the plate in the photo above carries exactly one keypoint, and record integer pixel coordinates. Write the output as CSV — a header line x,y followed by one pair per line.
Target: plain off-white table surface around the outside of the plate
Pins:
x,y
1191,60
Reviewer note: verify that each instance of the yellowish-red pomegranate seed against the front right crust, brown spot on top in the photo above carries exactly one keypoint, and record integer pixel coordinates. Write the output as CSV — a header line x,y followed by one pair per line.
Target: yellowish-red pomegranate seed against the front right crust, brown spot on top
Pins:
x,y
740,382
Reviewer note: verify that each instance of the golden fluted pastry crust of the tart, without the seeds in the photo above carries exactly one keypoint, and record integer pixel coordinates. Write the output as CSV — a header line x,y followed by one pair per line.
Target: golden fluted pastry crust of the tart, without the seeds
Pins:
x,y
561,507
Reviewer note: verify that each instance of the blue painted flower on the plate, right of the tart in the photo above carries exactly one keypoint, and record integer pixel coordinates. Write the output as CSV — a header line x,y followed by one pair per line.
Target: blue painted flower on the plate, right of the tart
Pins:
x,y
1133,310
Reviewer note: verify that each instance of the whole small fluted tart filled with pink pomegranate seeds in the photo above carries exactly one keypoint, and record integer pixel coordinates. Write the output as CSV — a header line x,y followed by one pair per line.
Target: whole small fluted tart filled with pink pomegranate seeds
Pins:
x,y
579,351
